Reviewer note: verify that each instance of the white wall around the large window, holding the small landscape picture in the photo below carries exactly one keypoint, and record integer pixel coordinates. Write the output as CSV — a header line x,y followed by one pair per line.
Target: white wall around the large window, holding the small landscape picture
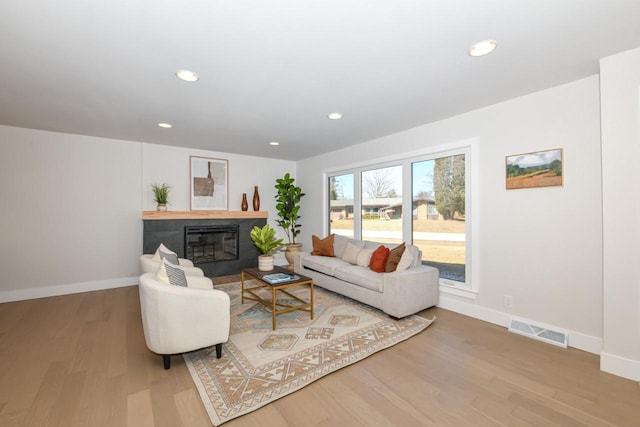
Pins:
x,y
541,246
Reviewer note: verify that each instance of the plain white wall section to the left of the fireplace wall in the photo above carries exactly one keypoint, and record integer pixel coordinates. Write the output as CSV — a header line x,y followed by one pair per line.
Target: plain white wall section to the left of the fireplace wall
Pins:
x,y
70,213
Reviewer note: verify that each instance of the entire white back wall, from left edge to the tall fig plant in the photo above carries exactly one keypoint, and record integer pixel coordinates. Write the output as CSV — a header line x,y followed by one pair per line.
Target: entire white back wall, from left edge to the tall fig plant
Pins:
x,y
72,206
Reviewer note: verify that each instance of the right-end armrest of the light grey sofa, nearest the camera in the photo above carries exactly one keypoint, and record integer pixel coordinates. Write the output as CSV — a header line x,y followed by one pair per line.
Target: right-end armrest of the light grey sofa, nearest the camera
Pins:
x,y
410,291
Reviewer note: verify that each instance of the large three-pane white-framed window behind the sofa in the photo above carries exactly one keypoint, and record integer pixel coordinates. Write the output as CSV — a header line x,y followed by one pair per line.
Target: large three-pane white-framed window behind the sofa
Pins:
x,y
432,189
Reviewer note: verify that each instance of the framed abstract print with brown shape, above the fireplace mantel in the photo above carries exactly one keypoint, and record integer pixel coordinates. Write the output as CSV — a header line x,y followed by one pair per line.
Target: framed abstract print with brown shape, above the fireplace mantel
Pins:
x,y
209,179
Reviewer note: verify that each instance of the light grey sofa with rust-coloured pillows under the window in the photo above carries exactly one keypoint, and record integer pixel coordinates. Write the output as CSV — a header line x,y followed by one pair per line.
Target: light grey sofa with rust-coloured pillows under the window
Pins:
x,y
399,293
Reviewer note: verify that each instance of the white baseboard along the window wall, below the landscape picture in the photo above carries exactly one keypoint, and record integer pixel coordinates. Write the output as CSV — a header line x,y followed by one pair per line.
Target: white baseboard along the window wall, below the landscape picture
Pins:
x,y
577,340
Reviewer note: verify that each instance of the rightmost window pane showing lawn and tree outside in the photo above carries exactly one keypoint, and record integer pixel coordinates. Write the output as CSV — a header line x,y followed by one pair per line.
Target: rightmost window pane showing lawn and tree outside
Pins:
x,y
439,214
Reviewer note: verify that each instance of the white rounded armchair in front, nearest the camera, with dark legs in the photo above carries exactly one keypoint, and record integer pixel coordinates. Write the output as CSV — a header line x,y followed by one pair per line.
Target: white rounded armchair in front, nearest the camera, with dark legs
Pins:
x,y
178,319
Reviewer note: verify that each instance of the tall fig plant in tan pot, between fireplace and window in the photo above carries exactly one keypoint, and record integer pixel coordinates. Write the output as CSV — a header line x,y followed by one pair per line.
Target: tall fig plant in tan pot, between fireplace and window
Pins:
x,y
288,205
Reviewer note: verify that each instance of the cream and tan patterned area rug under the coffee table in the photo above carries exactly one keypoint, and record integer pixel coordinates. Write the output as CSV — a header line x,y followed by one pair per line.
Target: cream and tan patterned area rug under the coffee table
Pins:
x,y
259,365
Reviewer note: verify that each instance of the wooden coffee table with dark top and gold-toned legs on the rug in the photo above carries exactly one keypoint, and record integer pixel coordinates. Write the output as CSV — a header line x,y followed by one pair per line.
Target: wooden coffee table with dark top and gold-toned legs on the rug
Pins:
x,y
275,306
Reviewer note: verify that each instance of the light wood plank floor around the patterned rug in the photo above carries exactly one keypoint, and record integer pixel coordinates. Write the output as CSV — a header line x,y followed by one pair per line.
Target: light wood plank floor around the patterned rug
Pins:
x,y
81,360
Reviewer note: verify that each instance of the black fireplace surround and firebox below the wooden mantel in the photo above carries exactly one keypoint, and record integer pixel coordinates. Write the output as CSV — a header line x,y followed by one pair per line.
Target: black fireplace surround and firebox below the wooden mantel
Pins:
x,y
220,247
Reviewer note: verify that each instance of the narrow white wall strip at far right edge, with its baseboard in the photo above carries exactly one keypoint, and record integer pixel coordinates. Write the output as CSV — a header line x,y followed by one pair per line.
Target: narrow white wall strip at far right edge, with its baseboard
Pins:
x,y
620,88
